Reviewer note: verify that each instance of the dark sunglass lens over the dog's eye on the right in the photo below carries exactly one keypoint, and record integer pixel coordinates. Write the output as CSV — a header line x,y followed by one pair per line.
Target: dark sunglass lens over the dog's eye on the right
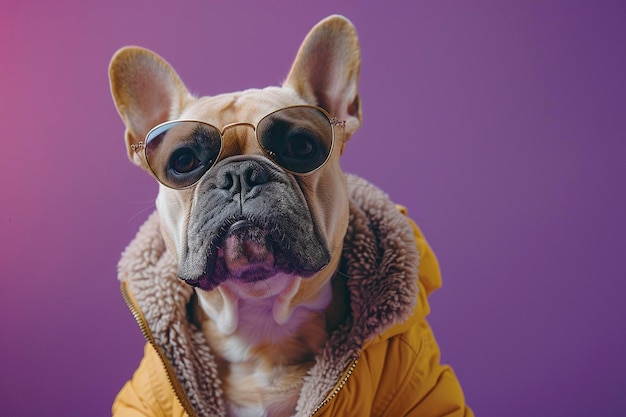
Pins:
x,y
297,138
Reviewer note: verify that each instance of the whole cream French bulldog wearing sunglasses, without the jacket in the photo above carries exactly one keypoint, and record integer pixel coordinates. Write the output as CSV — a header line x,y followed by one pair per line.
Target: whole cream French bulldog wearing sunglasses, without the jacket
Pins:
x,y
253,204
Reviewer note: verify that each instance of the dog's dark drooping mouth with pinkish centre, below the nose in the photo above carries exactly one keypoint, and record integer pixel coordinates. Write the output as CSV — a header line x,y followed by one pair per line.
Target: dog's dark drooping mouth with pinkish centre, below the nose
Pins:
x,y
247,252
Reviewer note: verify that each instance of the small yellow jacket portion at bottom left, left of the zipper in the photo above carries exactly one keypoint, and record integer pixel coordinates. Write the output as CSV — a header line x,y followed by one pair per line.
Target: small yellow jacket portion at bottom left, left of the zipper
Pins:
x,y
148,392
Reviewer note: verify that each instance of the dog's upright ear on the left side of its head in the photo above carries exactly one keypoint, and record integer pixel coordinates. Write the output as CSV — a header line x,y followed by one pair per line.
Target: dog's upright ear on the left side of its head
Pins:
x,y
146,91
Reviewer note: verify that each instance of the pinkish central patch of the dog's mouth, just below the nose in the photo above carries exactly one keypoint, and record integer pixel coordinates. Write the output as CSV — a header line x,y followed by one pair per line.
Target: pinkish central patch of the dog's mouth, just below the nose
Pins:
x,y
248,252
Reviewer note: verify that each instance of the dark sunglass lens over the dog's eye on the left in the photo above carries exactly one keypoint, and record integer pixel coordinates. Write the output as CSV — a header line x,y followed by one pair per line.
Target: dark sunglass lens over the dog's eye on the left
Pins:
x,y
180,152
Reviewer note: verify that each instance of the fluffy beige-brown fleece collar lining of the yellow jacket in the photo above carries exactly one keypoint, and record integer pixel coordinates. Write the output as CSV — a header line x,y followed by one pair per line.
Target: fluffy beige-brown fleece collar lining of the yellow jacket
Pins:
x,y
380,263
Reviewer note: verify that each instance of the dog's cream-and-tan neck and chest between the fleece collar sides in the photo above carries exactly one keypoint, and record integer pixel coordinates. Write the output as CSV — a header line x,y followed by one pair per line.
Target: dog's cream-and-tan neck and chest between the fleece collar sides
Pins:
x,y
262,362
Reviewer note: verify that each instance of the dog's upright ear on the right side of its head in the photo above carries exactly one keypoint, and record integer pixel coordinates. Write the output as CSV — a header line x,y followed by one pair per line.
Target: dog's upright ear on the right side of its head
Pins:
x,y
326,70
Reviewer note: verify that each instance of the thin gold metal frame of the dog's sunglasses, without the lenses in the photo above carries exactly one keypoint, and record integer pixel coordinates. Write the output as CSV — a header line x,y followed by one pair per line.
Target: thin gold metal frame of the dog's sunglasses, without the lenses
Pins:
x,y
140,147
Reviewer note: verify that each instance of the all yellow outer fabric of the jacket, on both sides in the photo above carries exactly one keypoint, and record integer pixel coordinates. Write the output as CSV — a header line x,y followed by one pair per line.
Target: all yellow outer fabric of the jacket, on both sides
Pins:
x,y
398,374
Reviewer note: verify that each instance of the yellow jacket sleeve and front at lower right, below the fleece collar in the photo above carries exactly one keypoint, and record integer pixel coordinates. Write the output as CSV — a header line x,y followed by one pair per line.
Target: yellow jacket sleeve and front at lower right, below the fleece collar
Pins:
x,y
403,377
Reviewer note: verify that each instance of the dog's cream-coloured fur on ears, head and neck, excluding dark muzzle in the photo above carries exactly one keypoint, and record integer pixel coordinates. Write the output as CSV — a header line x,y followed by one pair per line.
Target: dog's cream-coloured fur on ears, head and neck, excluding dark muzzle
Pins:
x,y
264,334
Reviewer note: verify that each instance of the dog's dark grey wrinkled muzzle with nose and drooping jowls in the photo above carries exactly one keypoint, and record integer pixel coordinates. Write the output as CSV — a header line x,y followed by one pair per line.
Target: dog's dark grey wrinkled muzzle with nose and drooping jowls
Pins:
x,y
250,223
